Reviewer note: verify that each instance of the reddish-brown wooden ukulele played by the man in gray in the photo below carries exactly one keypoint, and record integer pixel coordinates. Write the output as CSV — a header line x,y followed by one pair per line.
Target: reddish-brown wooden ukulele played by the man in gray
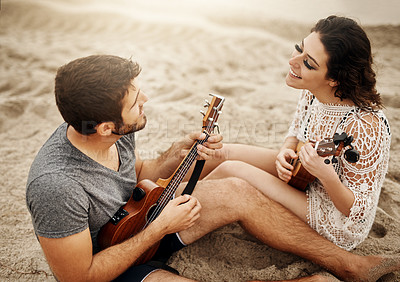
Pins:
x,y
148,199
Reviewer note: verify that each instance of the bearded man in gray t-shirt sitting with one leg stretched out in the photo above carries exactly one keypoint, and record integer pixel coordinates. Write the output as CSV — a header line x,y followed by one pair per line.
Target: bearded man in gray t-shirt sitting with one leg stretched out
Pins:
x,y
86,171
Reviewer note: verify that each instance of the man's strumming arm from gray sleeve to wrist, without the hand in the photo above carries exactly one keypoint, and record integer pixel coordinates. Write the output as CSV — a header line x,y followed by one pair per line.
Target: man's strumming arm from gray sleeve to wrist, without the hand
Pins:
x,y
71,259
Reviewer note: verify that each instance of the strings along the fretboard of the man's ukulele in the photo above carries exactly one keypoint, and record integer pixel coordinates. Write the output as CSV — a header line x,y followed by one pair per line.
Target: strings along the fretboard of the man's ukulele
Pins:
x,y
177,179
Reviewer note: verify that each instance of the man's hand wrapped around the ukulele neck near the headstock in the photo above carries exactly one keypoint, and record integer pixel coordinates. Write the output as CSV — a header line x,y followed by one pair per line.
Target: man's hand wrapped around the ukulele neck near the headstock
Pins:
x,y
208,150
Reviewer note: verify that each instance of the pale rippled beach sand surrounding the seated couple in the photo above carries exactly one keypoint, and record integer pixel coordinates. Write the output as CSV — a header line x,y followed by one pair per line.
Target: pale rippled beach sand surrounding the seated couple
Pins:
x,y
188,49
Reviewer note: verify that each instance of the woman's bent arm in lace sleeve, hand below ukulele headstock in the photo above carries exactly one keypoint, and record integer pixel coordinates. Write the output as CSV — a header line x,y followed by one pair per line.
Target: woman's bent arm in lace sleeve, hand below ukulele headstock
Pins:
x,y
359,183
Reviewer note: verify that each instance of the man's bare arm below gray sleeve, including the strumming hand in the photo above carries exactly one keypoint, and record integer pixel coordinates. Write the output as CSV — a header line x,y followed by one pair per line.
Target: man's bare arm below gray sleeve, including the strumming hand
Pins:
x,y
71,259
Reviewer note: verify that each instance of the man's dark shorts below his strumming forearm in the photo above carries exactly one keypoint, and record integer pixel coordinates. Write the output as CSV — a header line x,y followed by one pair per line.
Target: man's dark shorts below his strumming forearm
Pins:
x,y
168,245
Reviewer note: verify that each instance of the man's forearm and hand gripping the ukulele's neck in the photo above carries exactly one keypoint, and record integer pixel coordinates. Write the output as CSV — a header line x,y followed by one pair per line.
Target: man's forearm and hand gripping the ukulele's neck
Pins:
x,y
166,163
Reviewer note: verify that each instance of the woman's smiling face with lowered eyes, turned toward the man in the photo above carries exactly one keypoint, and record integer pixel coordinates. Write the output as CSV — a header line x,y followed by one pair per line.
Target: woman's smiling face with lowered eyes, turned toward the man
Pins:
x,y
308,66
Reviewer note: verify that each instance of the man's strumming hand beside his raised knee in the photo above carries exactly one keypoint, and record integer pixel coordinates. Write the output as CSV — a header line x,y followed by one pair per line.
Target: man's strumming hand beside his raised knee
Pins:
x,y
179,214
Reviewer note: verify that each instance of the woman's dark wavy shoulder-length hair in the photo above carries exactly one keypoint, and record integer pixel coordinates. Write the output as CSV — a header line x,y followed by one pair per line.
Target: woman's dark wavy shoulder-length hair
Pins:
x,y
350,60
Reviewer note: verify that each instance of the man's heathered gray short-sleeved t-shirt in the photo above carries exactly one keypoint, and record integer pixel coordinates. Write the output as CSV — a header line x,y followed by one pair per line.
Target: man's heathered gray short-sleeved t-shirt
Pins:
x,y
68,192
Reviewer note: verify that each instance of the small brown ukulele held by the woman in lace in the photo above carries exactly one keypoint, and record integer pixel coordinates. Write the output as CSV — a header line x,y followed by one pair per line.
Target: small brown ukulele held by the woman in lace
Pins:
x,y
327,147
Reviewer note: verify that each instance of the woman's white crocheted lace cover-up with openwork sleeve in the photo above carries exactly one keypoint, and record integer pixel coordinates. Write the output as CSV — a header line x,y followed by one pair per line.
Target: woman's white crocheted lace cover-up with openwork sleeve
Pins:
x,y
372,136
